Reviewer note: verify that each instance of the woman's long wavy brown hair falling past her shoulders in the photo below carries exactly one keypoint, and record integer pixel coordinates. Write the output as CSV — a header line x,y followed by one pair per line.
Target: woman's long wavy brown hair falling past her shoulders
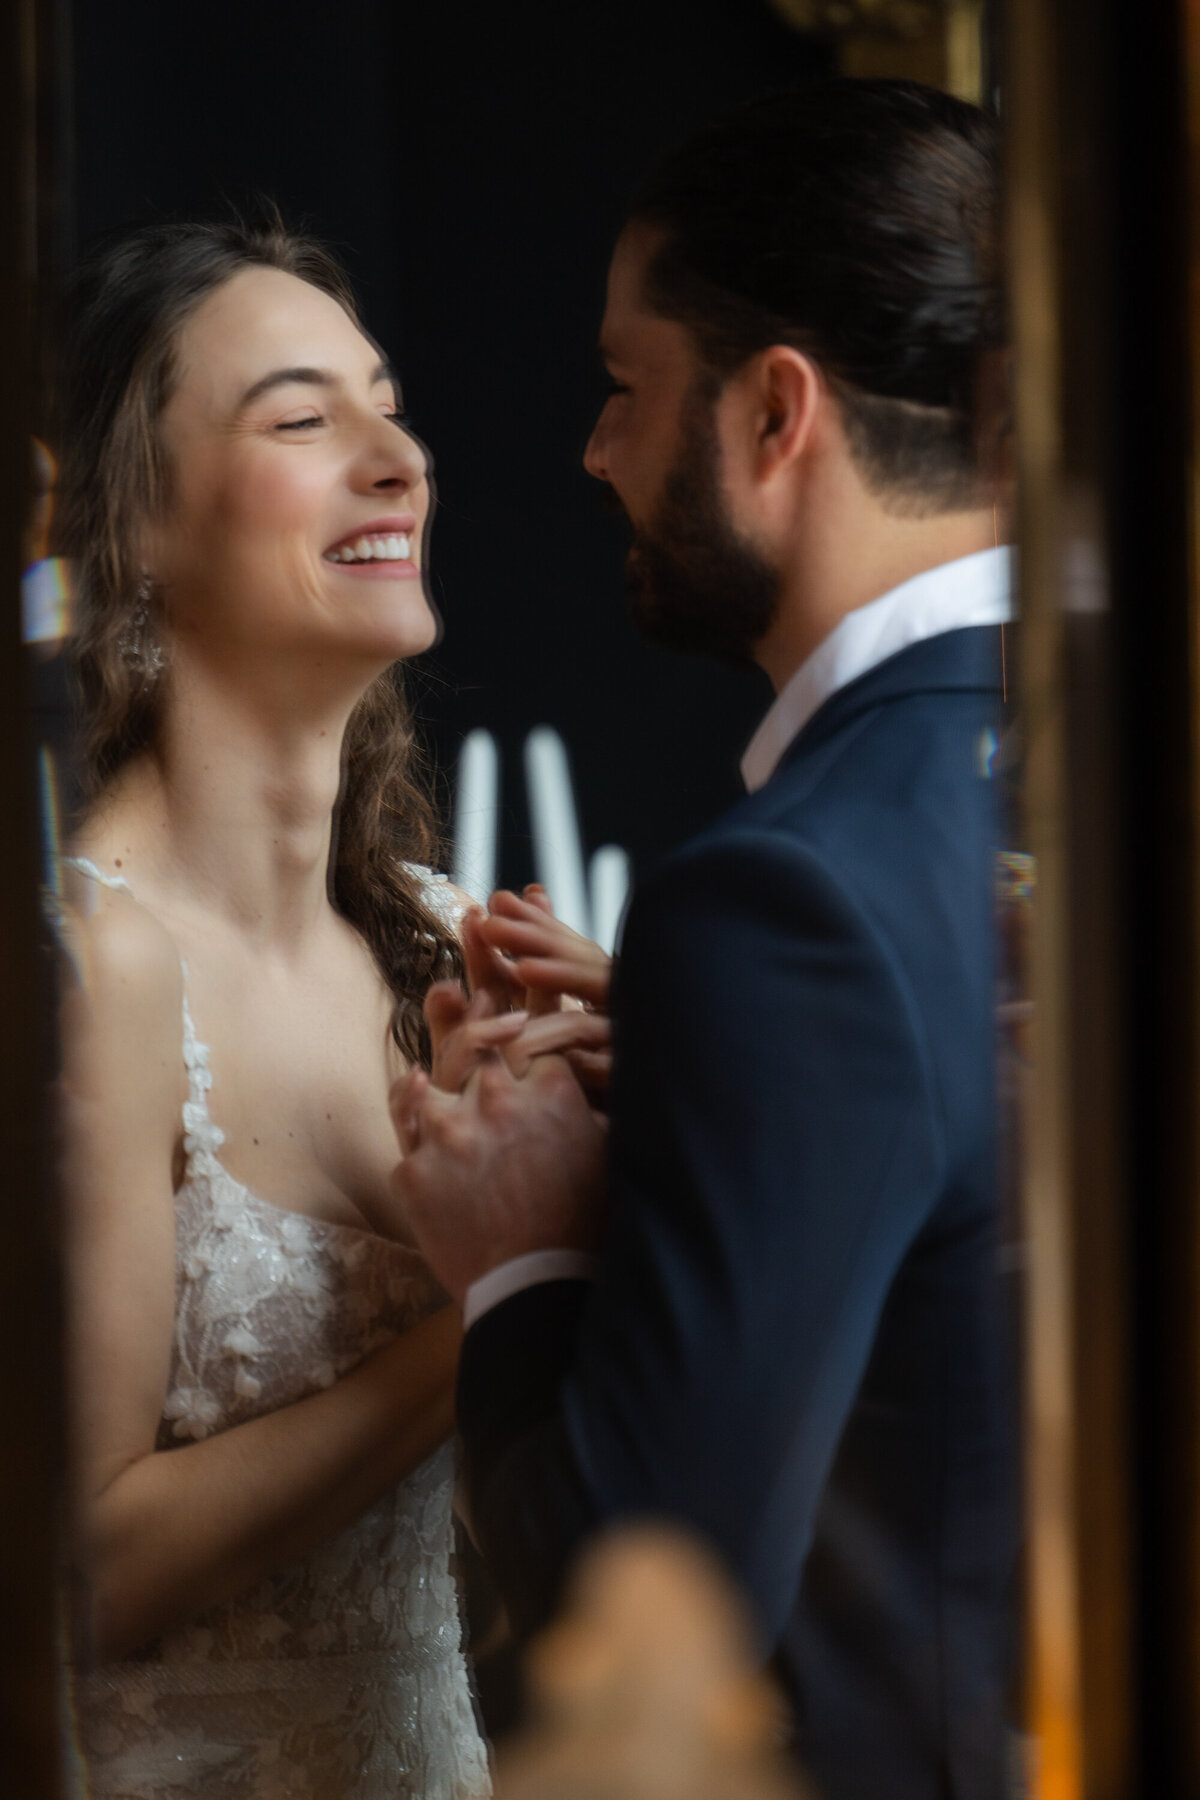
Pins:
x,y
127,310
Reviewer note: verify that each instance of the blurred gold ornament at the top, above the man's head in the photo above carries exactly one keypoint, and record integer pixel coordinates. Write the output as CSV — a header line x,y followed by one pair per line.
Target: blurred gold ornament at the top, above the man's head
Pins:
x,y
940,42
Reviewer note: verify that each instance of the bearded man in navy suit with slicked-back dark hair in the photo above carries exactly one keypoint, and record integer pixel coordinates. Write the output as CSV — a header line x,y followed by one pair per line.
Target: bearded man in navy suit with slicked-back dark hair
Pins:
x,y
787,1336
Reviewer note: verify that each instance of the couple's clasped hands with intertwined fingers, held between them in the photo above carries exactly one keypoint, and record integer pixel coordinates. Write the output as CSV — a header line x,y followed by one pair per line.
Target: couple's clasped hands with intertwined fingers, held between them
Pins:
x,y
505,1146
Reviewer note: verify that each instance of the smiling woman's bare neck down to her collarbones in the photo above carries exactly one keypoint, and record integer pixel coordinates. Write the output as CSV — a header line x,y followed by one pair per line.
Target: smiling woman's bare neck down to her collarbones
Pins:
x,y
231,814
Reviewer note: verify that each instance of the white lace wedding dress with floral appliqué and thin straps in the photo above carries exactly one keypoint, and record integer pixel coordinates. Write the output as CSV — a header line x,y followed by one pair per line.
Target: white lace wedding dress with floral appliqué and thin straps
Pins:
x,y
343,1677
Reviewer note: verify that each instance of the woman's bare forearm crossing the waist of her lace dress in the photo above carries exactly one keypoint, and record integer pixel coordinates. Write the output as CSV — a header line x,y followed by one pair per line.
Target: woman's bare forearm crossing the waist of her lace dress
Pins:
x,y
181,1531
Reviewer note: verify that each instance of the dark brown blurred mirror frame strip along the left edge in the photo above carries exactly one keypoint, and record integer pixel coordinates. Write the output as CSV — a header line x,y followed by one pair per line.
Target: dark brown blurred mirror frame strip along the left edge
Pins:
x,y
31,1394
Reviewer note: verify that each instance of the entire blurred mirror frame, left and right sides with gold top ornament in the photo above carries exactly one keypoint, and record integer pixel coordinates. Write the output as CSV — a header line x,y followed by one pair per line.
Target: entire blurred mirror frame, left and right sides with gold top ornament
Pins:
x,y
1104,120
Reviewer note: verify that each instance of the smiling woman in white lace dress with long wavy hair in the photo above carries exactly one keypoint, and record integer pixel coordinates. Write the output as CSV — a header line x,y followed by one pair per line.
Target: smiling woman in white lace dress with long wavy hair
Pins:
x,y
264,1387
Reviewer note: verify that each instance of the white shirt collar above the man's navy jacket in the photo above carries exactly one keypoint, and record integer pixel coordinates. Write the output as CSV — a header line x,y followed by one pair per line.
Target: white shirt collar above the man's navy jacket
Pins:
x,y
969,591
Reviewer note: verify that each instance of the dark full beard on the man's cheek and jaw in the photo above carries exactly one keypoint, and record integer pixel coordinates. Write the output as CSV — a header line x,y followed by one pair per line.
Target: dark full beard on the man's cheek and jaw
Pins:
x,y
694,582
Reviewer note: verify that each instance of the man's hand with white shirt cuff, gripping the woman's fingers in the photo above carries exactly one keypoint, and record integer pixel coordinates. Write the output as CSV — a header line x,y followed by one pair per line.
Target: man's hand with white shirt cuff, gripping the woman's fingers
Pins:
x,y
510,1165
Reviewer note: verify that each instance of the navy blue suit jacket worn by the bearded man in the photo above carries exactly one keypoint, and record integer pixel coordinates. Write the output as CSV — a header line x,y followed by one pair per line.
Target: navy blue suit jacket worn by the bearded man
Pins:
x,y
794,1344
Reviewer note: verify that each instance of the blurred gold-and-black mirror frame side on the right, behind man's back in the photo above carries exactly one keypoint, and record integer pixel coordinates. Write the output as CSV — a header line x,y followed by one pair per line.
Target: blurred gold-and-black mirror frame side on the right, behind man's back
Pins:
x,y
1106,355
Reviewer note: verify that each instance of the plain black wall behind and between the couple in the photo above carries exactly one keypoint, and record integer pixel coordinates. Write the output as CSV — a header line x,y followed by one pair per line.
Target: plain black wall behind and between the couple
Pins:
x,y
472,165
